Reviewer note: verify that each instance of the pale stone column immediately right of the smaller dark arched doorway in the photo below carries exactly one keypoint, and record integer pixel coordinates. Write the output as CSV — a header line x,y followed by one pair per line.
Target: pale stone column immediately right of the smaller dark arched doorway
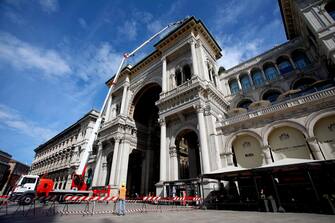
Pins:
x,y
203,139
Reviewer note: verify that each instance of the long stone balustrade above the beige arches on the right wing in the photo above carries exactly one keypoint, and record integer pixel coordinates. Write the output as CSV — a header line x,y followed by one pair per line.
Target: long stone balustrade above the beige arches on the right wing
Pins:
x,y
303,99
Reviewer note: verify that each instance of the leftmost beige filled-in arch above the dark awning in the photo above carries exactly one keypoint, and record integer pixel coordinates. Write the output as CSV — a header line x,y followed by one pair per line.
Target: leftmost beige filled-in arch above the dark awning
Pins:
x,y
247,150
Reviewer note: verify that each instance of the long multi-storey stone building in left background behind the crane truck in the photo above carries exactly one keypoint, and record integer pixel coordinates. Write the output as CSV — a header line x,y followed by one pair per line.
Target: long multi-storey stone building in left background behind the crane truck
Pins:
x,y
59,157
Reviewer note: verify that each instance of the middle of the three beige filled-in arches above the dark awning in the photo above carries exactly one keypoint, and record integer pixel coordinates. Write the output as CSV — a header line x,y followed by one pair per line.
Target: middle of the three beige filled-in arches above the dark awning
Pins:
x,y
288,142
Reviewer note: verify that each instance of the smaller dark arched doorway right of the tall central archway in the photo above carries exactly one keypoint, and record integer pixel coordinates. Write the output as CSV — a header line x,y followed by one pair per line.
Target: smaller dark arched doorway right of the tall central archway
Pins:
x,y
187,144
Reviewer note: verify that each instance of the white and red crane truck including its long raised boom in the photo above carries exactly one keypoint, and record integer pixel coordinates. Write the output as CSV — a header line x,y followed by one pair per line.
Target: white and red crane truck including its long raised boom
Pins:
x,y
31,186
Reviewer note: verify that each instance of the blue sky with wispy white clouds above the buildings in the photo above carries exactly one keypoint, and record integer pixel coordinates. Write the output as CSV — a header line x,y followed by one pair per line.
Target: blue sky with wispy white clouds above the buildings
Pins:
x,y
55,55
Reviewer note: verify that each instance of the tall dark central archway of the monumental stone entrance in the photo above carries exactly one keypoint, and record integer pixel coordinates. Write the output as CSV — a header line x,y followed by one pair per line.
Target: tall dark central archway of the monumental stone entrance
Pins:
x,y
143,164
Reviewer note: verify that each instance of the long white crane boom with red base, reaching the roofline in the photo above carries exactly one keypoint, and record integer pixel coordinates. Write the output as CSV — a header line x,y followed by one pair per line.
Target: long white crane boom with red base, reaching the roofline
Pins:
x,y
78,177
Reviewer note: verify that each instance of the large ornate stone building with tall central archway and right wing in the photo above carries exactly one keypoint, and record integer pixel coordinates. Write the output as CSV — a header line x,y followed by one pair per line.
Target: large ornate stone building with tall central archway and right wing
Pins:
x,y
176,115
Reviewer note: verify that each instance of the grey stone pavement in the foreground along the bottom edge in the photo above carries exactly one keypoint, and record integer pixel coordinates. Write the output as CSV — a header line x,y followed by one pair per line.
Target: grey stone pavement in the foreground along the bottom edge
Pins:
x,y
193,216
